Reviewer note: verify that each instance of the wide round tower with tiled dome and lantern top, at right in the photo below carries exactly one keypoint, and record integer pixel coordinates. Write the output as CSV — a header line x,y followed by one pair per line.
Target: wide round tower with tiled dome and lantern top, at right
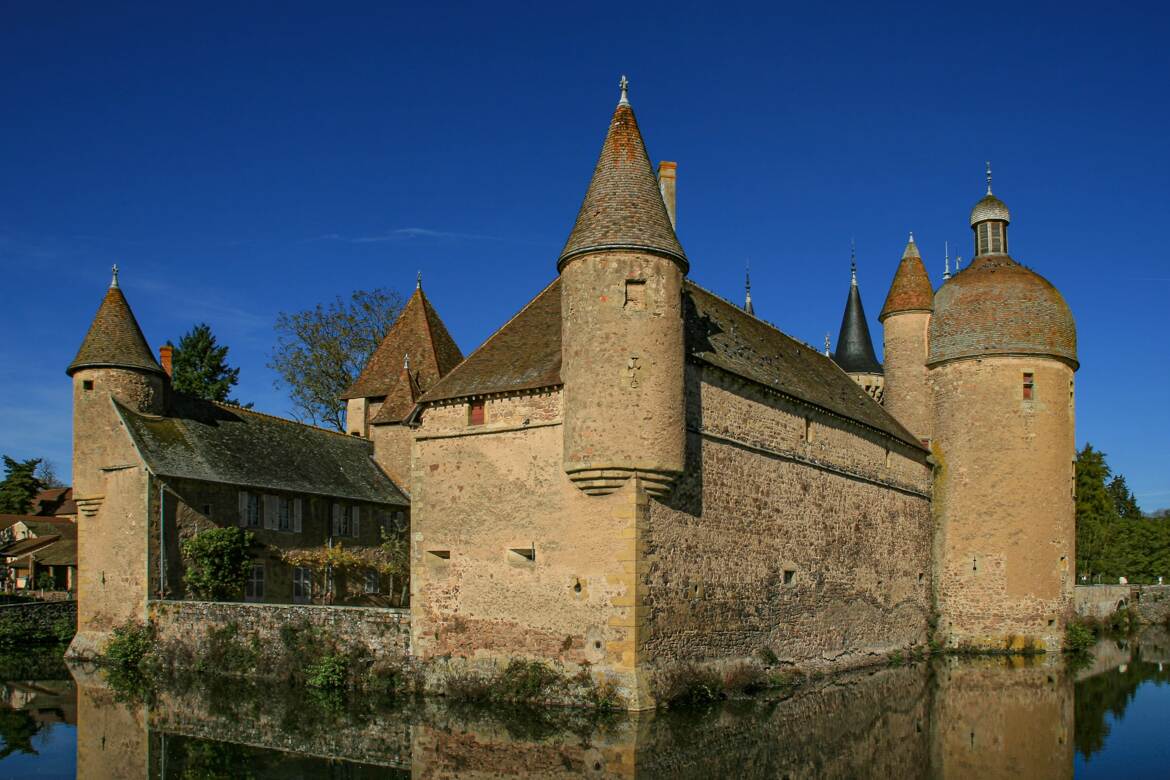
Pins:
x,y
1002,356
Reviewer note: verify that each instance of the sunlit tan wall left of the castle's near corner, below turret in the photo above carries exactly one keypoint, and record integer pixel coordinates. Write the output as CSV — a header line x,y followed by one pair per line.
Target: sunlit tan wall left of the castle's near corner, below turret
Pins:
x,y
485,499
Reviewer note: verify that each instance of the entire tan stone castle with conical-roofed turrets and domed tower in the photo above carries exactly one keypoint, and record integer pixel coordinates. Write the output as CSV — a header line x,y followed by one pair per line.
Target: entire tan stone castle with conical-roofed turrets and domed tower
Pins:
x,y
632,473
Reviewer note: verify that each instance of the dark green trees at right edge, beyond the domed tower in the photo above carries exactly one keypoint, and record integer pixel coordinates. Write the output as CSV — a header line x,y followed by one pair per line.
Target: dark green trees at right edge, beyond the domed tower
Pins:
x,y
1114,539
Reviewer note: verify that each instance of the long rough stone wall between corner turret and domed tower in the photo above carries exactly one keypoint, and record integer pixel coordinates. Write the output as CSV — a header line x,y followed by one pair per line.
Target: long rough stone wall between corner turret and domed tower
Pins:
x,y
792,531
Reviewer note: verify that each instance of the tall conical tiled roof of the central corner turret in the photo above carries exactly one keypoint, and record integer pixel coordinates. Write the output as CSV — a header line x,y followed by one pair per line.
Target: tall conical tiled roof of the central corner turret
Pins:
x,y
623,206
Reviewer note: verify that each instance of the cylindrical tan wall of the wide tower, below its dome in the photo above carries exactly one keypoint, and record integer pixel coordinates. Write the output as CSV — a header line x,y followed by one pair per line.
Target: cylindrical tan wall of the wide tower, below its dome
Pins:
x,y
1004,502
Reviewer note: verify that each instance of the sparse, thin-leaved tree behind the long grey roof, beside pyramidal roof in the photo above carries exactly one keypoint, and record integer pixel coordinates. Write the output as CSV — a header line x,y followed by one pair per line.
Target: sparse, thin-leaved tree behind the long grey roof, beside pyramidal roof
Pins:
x,y
321,351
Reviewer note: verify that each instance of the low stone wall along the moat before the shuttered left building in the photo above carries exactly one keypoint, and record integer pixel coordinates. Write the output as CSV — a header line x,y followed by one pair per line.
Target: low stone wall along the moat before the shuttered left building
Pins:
x,y
384,633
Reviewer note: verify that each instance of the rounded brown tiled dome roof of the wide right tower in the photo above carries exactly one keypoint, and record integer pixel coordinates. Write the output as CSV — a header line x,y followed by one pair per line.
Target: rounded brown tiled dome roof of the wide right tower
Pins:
x,y
997,307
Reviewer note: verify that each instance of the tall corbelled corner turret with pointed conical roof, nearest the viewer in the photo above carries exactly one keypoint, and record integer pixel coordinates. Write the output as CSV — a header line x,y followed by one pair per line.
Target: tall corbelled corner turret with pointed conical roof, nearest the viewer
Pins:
x,y
622,275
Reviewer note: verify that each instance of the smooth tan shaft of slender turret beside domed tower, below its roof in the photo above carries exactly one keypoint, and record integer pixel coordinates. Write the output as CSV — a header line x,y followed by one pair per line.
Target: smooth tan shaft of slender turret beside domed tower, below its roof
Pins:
x,y
907,394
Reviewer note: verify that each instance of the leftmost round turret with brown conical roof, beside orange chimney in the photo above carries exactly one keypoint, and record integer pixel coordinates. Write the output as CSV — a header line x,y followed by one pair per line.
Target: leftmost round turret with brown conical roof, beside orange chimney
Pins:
x,y
114,362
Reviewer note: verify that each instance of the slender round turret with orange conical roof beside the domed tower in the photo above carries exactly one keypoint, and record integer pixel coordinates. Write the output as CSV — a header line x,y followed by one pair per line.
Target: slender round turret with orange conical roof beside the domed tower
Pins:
x,y
906,321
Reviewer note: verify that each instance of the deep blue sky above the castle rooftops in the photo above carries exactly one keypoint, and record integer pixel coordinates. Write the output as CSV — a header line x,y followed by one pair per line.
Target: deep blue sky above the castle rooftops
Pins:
x,y
240,160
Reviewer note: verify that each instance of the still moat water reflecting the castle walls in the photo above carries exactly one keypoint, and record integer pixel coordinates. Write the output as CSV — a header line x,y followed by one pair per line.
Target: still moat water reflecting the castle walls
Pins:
x,y
948,717
